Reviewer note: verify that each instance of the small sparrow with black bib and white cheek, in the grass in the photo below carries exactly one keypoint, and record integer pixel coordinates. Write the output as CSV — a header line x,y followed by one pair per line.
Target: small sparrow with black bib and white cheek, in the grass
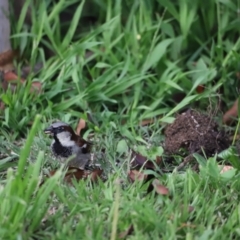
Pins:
x,y
67,144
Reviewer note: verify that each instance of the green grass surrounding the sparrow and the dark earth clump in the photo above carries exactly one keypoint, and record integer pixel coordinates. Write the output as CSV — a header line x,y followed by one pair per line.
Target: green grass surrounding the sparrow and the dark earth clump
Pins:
x,y
124,67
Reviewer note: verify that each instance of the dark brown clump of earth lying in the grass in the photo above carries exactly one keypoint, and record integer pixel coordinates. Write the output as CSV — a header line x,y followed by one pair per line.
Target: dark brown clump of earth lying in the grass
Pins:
x,y
193,132
